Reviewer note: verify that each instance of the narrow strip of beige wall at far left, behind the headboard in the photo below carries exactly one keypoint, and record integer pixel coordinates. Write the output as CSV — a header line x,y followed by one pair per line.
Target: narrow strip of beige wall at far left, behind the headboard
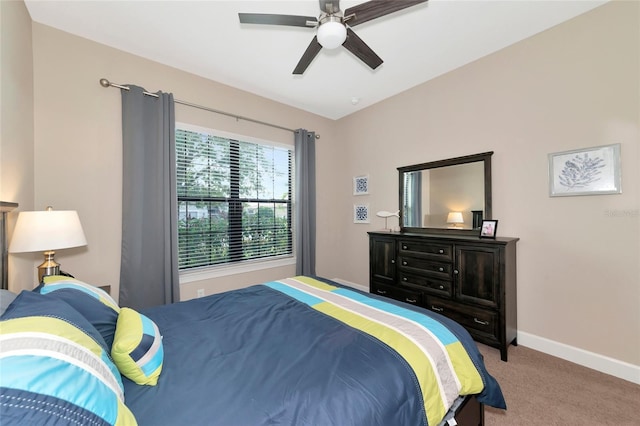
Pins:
x,y
16,124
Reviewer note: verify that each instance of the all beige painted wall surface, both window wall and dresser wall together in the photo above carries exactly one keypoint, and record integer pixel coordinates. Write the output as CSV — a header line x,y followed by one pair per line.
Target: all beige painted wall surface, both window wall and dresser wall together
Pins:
x,y
573,86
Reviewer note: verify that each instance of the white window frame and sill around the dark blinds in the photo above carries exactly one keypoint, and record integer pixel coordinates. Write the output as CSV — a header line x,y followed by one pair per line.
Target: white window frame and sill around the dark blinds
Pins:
x,y
249,265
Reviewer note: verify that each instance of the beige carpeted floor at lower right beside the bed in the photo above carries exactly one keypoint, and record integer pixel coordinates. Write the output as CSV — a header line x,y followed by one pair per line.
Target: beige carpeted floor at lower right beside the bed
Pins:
x,y
544,390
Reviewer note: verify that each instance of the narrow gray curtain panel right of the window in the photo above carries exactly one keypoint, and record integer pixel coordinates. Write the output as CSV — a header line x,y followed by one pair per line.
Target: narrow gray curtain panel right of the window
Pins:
x,y
305,212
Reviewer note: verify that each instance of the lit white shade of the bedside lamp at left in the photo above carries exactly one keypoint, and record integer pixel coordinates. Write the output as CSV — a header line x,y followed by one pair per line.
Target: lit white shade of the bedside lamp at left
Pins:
x,y
47,230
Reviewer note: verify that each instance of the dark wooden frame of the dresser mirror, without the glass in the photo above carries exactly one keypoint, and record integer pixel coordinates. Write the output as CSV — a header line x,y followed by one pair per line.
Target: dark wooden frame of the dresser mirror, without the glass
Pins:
x,y
485,157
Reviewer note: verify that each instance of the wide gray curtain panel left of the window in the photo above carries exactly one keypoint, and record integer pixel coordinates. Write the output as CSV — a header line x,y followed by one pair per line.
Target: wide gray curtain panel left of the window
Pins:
x,y
149,265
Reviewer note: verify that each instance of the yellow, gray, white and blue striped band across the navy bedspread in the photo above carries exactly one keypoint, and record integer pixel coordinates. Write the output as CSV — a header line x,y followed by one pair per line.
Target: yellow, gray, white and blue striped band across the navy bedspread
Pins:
x,y
442,367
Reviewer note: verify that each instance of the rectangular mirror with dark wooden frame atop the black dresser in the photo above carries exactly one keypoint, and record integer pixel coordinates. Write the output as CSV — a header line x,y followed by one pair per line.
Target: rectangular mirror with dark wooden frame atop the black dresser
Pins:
x,y
448,196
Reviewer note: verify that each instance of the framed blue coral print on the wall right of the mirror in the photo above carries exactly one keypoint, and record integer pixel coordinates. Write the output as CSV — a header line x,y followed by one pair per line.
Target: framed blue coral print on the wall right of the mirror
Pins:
x,y
588,171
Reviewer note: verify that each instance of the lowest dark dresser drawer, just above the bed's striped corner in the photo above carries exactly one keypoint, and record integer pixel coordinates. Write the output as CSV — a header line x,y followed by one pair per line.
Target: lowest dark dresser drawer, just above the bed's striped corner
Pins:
x,y
479,322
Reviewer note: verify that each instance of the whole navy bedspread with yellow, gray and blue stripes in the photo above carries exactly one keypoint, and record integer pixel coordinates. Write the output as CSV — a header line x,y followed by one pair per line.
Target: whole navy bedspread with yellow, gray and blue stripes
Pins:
x,y
307,351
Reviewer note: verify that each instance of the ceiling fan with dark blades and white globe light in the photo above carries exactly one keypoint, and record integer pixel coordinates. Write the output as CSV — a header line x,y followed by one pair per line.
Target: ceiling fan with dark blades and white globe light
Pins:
x,y
334,27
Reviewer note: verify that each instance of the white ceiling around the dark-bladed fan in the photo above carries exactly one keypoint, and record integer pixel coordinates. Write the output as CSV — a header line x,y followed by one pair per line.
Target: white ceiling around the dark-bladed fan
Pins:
x,y
205,38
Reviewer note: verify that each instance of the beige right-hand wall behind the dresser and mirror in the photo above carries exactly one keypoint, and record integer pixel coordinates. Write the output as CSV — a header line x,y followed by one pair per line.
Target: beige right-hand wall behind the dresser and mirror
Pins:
x,y
574,86
